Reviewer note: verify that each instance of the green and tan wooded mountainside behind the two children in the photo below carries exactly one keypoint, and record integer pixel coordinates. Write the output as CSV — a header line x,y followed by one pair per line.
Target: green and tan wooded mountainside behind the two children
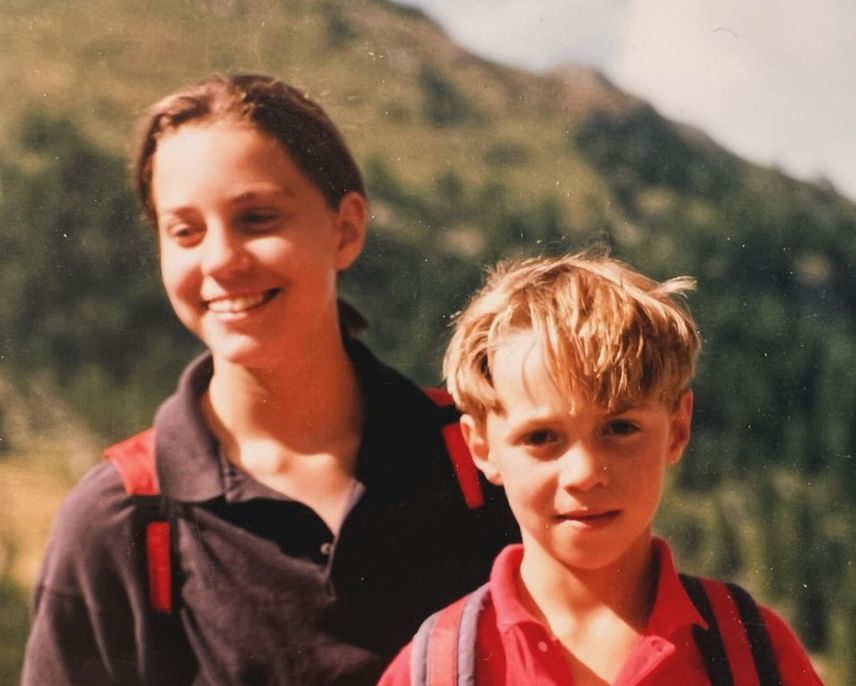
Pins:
x,y
466,162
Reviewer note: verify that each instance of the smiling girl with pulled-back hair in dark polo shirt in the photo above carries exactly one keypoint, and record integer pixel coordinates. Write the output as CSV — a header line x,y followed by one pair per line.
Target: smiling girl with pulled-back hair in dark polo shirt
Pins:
x,y
313,514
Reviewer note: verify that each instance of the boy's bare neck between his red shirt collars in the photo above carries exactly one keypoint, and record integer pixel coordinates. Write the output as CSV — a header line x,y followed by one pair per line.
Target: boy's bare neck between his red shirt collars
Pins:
x,y
569,600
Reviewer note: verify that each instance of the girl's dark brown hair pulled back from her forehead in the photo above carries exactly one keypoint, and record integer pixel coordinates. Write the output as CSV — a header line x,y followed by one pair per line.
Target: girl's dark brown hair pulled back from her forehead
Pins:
x,y
272,107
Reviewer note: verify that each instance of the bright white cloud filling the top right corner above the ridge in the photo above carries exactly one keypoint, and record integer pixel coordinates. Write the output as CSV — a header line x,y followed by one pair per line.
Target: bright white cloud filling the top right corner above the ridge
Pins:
x,y
772,80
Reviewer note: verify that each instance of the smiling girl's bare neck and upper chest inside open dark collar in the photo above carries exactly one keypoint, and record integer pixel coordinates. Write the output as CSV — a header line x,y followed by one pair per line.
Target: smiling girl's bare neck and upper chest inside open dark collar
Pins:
x,y
294,426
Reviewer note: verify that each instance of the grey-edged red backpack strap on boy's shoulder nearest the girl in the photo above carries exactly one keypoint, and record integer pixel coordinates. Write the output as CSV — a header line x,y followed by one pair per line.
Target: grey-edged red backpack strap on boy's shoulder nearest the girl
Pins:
x,y
443,652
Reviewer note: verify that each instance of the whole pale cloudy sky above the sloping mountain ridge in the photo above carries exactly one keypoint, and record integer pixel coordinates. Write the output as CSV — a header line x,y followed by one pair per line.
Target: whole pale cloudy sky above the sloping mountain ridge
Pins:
x,y
772,80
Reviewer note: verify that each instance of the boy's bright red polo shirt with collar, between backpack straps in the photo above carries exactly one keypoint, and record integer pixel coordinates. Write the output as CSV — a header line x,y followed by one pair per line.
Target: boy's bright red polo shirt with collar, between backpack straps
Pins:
x,y
515,648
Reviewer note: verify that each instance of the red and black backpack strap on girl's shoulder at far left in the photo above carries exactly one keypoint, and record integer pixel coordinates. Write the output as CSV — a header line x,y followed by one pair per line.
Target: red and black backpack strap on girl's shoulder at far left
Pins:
x,y
134,459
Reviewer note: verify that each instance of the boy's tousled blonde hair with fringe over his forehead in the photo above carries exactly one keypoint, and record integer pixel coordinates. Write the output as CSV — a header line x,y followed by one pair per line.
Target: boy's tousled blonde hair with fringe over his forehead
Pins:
x,y
611,336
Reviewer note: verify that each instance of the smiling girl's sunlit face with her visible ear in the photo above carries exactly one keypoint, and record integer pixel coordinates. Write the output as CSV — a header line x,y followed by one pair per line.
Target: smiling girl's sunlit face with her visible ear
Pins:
x,y
249,249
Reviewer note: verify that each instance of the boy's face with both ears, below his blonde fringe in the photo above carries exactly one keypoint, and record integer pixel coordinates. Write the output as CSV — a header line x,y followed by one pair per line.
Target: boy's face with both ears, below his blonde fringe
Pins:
x,y
583,484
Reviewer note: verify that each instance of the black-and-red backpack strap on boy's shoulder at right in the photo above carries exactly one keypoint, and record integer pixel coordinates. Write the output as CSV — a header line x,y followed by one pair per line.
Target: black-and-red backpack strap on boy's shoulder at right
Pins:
x,y
731,612
